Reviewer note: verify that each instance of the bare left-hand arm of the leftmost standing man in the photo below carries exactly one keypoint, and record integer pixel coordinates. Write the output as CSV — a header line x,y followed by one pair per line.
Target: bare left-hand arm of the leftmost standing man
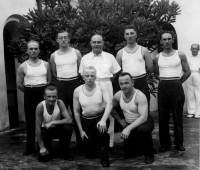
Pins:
x,y
20,77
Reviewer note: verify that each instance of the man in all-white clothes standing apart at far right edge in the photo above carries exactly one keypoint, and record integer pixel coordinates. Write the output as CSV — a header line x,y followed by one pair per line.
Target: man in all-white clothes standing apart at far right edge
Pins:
x,y
193,84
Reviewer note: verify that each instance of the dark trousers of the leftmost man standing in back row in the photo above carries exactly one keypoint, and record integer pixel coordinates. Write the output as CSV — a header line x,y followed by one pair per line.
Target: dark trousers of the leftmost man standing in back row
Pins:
x,y
32,97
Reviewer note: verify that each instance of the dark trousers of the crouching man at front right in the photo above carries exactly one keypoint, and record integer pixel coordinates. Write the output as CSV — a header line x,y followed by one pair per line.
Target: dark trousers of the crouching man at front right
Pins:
x,y
139,139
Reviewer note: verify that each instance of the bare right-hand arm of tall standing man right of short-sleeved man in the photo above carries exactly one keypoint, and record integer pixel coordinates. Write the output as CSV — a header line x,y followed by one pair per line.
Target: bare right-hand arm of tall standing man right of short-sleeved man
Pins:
x,y
148,60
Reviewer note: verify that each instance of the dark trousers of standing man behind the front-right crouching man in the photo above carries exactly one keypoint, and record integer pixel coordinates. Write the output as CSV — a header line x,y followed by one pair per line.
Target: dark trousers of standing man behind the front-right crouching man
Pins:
x,y
141,84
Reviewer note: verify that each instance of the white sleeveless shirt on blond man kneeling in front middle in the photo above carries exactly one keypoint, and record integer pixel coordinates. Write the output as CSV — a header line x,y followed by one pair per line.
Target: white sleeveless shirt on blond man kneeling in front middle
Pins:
x,y
92,104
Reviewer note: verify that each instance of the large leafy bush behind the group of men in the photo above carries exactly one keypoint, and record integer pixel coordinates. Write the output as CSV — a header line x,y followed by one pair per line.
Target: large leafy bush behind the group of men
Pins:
x,y
106,17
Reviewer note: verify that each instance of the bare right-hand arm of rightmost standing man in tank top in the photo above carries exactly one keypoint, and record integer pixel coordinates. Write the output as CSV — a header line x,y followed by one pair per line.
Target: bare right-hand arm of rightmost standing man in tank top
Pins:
x,y
185,66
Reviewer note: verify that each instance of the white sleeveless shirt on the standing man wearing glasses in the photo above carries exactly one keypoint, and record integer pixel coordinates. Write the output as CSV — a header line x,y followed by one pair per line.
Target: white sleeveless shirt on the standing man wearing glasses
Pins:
x,y
66,64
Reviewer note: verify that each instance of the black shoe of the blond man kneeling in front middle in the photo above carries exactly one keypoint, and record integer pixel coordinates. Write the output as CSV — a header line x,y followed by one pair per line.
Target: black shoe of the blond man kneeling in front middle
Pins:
x,y
104,157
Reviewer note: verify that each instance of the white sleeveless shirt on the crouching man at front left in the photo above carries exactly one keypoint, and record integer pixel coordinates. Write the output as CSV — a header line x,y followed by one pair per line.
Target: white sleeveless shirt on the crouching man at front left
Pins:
x,y
47,117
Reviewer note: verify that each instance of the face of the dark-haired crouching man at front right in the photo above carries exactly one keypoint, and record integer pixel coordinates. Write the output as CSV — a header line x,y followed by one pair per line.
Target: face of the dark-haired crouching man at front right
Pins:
x,y
125,83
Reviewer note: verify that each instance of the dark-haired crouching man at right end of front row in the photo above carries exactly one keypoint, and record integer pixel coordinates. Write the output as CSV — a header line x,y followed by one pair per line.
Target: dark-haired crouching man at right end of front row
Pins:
x,y
137,125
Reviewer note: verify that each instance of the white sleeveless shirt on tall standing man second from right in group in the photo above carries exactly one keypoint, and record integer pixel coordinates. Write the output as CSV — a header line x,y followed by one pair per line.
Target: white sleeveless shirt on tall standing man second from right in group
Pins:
x,y
133,63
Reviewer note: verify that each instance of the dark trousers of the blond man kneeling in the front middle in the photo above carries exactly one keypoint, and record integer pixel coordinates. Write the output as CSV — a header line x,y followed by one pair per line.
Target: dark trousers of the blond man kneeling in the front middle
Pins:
x,y
96,140
